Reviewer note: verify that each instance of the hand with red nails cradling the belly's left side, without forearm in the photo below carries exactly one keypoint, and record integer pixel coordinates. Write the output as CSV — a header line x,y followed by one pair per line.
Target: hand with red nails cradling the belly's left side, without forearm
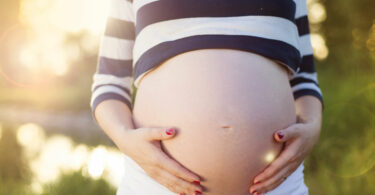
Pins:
x,y
143,145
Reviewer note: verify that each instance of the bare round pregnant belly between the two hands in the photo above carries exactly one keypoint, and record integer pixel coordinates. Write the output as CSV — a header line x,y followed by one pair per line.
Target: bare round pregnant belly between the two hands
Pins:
x,y
226,105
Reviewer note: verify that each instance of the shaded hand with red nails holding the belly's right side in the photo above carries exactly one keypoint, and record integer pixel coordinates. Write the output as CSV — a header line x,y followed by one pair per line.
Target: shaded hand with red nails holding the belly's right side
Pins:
x,y
299,139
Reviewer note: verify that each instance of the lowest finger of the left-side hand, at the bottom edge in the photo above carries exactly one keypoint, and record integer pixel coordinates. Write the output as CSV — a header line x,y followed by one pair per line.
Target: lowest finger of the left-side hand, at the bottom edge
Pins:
x,y
176,184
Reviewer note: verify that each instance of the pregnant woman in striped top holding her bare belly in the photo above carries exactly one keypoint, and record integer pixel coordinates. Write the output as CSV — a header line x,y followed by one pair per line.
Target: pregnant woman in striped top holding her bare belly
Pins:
x,y
216,97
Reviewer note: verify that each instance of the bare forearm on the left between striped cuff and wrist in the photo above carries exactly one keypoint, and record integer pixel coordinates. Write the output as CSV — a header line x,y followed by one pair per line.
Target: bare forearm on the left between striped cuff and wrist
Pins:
x,y
115,118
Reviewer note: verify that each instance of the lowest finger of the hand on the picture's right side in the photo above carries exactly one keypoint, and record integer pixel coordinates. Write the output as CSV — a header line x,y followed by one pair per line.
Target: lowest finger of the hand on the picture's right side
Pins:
x,y
272,182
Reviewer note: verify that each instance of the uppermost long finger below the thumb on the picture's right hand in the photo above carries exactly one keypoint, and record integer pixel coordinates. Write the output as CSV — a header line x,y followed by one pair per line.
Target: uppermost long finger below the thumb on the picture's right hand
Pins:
x,y
287,156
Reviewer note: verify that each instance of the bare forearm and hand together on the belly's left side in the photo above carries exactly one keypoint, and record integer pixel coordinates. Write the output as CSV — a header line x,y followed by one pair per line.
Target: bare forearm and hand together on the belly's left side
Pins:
x,y
143,145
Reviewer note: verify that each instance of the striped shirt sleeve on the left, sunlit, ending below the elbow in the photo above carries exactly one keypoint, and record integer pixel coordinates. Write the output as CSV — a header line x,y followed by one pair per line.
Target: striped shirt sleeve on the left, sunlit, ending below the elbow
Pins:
x,y
113,77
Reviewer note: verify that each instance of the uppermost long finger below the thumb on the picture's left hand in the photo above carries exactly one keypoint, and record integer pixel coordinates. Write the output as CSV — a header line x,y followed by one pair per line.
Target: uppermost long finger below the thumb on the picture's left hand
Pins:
x,y
175,168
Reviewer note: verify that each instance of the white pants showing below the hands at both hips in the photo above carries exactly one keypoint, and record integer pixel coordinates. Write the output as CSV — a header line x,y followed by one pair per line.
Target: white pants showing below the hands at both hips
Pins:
x,y
136,182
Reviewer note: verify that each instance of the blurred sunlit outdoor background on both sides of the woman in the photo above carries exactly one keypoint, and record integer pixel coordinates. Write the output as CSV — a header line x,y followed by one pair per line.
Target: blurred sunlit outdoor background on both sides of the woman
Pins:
x,y
50,145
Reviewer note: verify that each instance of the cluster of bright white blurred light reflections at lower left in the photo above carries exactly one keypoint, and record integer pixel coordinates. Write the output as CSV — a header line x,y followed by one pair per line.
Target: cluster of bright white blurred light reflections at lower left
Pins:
x,y
51,156
